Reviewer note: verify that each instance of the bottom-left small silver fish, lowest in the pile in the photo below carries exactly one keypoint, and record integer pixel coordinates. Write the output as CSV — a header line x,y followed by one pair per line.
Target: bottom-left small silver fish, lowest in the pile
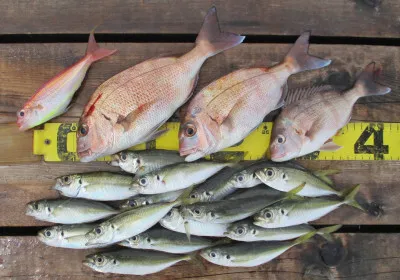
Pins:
x,y
134,262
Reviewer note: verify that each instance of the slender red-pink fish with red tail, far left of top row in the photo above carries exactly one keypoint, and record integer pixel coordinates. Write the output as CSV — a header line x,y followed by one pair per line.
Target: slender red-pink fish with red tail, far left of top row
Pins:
x,y
53,98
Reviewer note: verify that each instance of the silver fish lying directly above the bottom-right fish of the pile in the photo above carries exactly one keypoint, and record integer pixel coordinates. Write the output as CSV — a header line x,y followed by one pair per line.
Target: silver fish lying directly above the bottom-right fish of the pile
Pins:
x,y
248,232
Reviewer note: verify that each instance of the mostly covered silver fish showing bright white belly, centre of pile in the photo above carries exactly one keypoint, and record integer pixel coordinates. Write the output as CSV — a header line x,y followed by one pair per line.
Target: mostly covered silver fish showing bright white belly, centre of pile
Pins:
x,y
175,222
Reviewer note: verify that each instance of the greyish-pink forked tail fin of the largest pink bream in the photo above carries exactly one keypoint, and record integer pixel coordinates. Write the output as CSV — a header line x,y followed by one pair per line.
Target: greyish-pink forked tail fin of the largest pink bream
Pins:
x,y
211,40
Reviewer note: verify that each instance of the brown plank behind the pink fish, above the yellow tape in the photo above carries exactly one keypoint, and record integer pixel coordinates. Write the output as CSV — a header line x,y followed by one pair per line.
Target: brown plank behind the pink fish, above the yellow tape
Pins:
x,y
24,68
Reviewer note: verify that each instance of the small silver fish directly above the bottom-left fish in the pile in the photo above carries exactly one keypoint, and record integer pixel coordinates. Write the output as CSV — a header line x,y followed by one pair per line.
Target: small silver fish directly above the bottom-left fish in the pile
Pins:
x,y
167,241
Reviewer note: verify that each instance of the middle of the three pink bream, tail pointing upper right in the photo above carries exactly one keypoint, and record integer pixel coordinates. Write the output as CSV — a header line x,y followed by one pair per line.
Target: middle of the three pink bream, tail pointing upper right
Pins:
x,y
227,110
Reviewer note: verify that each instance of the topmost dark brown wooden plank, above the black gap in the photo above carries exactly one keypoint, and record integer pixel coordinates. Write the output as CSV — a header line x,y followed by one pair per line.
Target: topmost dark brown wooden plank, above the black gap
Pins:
x,y
360,18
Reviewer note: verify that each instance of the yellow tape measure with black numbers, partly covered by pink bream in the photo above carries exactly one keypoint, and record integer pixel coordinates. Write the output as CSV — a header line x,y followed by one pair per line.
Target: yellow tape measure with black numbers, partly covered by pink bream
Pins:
x,y
360,141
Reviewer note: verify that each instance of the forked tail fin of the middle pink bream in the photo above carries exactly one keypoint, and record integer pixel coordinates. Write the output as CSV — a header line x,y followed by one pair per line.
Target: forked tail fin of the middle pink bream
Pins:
x,y
299,58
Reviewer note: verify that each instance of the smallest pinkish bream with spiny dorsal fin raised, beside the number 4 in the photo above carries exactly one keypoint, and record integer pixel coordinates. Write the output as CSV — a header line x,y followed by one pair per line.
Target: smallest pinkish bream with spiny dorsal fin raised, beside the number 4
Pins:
x,y
308,124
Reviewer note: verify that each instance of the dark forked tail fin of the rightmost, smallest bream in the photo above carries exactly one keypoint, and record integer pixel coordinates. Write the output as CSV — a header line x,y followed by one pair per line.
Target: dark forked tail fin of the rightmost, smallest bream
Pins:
x,y
366,85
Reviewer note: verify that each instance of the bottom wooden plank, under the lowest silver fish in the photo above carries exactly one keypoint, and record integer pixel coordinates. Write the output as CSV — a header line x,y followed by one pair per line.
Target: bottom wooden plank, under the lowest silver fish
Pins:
x,y
350,257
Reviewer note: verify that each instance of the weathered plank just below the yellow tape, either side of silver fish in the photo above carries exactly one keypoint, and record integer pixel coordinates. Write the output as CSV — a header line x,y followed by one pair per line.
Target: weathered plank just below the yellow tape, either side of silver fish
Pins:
x,y
379,189
